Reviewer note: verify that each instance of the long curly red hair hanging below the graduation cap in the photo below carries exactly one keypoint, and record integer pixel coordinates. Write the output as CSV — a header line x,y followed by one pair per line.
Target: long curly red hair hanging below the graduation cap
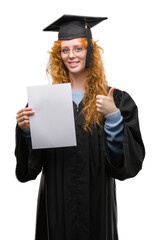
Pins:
x,y
96,83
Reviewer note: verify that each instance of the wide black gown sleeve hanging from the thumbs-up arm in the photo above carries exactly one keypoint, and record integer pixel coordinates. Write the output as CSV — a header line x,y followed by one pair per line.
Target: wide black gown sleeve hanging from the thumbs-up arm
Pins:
x,y
133,146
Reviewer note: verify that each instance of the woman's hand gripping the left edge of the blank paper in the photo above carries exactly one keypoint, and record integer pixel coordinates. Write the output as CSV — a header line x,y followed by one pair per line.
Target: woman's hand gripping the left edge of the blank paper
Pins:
x,y
23,117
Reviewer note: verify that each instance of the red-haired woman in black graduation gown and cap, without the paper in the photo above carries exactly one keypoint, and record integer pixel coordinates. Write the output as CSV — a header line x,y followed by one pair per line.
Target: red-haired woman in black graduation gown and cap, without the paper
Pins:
x,y
77,198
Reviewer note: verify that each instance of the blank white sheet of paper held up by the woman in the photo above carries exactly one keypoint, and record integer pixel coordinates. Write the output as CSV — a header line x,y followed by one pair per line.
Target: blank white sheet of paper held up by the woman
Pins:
x,y
52,124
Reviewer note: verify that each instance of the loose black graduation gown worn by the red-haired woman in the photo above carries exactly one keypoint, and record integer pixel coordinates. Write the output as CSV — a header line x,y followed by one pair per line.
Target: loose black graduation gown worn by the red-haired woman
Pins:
x,y
77,198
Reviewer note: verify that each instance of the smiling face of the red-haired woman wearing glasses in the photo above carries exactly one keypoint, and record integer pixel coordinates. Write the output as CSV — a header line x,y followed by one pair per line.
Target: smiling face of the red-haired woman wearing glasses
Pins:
x,y
73,55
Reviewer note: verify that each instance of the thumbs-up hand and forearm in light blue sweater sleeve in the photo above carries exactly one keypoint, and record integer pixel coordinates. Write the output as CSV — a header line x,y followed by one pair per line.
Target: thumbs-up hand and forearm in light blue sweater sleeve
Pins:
x,y
113,126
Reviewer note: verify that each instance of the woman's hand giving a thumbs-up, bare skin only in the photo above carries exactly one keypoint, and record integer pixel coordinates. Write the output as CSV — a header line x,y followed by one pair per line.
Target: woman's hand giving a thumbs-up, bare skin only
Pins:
x,y
105,104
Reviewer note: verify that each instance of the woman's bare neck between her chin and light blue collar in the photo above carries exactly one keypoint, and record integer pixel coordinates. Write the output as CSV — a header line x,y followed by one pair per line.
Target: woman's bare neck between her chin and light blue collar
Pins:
x,y
78,80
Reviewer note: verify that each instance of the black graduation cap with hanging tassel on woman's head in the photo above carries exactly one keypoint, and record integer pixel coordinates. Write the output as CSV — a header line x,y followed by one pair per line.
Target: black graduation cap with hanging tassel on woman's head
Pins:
x,y
73,26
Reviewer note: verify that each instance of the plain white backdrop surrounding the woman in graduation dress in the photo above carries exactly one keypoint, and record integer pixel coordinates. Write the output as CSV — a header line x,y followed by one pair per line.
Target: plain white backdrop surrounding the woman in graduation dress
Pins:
x,y
130,39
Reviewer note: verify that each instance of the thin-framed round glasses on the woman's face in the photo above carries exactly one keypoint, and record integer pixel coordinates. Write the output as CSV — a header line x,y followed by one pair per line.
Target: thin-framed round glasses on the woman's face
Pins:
x,y
77,51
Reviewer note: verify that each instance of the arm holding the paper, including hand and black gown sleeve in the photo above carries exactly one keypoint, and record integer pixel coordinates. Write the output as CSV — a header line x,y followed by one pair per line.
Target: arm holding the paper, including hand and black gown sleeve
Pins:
x,y
29,161
